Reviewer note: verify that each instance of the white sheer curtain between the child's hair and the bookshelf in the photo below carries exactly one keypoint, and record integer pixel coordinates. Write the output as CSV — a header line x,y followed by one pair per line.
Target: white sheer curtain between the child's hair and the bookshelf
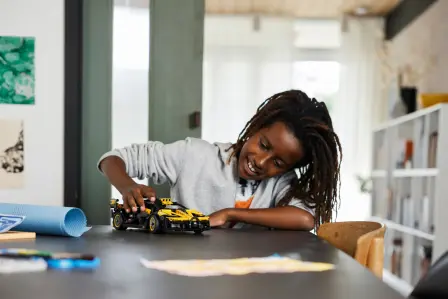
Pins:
x,y
358,110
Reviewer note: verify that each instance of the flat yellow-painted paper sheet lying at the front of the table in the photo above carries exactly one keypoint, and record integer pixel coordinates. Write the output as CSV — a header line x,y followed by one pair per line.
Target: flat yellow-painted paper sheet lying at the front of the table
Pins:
x,y
239,266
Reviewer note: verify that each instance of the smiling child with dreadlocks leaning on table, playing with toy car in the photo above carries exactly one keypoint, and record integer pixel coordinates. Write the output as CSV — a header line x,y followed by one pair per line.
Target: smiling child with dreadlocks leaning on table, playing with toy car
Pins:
x,y
282,172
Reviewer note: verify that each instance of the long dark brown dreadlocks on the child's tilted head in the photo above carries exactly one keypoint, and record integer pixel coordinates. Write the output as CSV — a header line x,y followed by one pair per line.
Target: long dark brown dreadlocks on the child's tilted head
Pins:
x,y
309,120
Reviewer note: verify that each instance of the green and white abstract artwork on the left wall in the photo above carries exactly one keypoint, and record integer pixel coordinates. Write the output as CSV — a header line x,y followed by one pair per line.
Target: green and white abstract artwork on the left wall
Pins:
x,y
17,70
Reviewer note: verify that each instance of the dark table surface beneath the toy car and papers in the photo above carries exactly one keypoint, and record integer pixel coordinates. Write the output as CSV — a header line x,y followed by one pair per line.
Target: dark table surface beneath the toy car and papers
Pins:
x,y
122,276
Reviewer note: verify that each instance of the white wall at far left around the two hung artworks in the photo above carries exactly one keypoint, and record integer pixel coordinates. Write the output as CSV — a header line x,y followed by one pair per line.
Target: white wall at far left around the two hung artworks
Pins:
x,y
44,121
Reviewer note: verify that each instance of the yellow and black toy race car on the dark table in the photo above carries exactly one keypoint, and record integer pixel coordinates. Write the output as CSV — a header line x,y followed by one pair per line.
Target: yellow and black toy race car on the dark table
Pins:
x,y
160,216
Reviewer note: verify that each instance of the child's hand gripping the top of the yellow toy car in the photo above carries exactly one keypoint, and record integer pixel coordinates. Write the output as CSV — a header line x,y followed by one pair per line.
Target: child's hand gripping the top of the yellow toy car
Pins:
x,y
133,197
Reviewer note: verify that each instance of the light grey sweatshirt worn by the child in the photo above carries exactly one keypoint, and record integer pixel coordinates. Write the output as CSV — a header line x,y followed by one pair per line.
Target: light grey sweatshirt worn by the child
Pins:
x,y
200,175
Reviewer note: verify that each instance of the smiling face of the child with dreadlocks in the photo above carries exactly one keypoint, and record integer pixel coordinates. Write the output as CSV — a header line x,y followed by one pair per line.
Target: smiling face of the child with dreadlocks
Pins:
x,y
270,152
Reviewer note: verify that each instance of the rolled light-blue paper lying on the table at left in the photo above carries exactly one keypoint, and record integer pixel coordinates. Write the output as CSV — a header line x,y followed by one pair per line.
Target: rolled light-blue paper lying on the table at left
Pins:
x,y
48,220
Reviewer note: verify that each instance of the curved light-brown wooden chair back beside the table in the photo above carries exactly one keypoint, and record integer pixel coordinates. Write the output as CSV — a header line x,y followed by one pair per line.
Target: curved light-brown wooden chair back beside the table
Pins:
x,y
362,240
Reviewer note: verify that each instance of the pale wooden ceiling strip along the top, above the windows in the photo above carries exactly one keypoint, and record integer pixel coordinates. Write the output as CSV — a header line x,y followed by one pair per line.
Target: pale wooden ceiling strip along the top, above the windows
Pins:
x,y
300,8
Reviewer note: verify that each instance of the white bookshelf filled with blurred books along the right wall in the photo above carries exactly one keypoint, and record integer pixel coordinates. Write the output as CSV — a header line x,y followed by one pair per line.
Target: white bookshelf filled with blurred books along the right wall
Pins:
x,y
410,192
